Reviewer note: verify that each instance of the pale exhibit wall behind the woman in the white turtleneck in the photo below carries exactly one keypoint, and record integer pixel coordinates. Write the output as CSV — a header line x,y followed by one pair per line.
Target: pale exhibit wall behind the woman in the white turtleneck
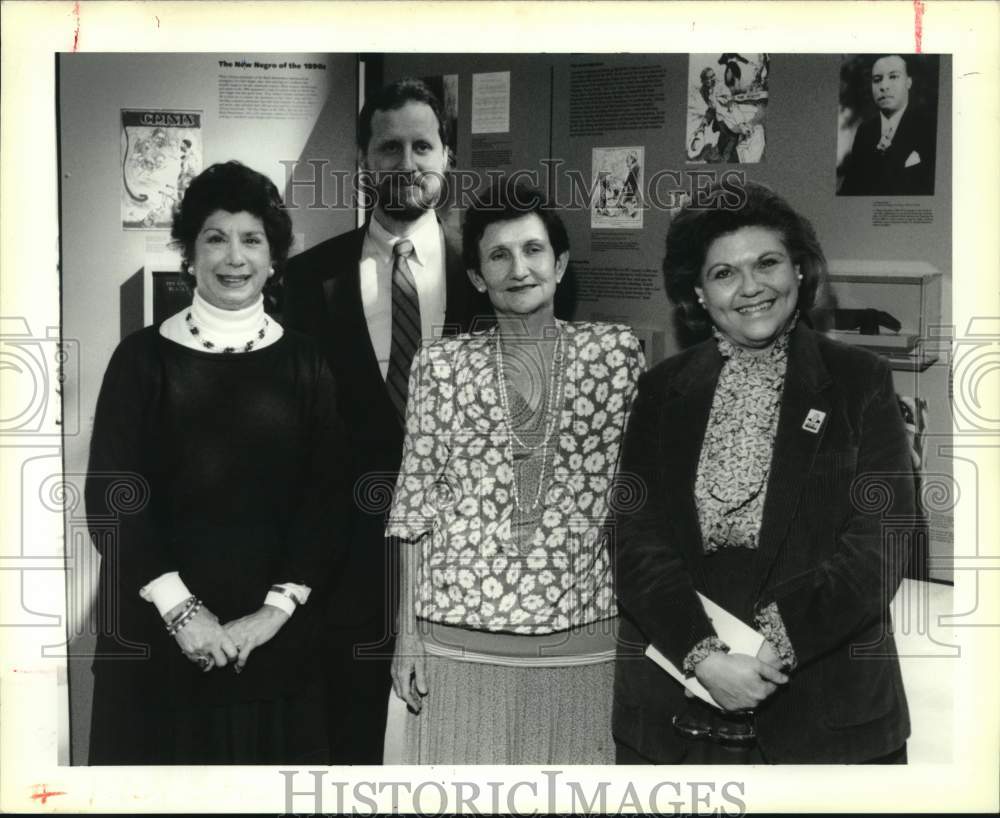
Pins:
x,y
98,255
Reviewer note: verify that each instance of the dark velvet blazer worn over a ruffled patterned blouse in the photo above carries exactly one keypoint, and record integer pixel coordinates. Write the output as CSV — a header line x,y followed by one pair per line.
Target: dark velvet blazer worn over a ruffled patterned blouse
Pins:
x,y
838,522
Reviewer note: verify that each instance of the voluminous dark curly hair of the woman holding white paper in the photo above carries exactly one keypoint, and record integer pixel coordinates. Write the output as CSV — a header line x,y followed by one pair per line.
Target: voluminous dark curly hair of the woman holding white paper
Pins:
x,y
693,230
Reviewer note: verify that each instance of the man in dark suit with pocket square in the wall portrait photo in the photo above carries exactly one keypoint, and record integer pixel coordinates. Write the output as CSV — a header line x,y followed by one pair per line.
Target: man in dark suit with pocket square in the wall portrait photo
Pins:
x,y
893,154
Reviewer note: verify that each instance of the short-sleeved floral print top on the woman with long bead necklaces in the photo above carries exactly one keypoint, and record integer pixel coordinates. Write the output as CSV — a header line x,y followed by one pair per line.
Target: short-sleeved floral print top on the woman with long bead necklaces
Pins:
x,y
457,478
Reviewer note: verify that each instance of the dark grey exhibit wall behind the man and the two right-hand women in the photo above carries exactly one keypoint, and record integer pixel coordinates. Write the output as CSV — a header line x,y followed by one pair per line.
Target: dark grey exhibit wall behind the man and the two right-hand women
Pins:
x,y
563,107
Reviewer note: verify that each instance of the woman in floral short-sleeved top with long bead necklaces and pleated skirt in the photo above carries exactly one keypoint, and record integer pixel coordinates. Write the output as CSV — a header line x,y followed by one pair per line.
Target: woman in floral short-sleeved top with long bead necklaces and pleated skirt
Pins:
x,y
507,612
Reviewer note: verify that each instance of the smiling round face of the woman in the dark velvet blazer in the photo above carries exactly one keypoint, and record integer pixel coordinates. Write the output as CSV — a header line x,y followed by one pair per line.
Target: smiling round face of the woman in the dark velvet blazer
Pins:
x,y
749,285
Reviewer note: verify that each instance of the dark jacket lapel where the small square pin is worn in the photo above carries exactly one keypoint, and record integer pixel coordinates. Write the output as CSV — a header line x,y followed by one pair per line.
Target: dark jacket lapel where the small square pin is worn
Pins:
x,y
794,448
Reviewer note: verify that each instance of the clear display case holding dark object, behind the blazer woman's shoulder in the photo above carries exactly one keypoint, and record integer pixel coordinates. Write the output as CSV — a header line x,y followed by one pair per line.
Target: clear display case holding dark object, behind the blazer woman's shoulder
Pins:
x,y
890,307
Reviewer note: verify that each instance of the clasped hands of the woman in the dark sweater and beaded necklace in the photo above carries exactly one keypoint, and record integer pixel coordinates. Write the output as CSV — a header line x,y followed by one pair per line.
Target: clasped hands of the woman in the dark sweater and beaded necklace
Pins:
x,y
203,636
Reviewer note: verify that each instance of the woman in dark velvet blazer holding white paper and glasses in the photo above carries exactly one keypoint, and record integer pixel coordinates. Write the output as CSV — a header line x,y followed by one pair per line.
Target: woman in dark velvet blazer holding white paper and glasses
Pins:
x,y
776,481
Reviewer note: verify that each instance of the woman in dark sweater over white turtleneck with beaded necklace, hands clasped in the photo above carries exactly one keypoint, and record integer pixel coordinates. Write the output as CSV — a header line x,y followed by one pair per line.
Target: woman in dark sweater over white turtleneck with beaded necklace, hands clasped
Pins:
x,y
215,496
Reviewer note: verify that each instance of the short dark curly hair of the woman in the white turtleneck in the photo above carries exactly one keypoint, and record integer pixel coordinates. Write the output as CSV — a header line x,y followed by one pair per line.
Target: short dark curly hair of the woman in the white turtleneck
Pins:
x,y
235,188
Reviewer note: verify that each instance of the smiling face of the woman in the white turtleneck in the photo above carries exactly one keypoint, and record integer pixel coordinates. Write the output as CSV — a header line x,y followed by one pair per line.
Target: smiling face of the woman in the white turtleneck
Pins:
x,y
232,259
